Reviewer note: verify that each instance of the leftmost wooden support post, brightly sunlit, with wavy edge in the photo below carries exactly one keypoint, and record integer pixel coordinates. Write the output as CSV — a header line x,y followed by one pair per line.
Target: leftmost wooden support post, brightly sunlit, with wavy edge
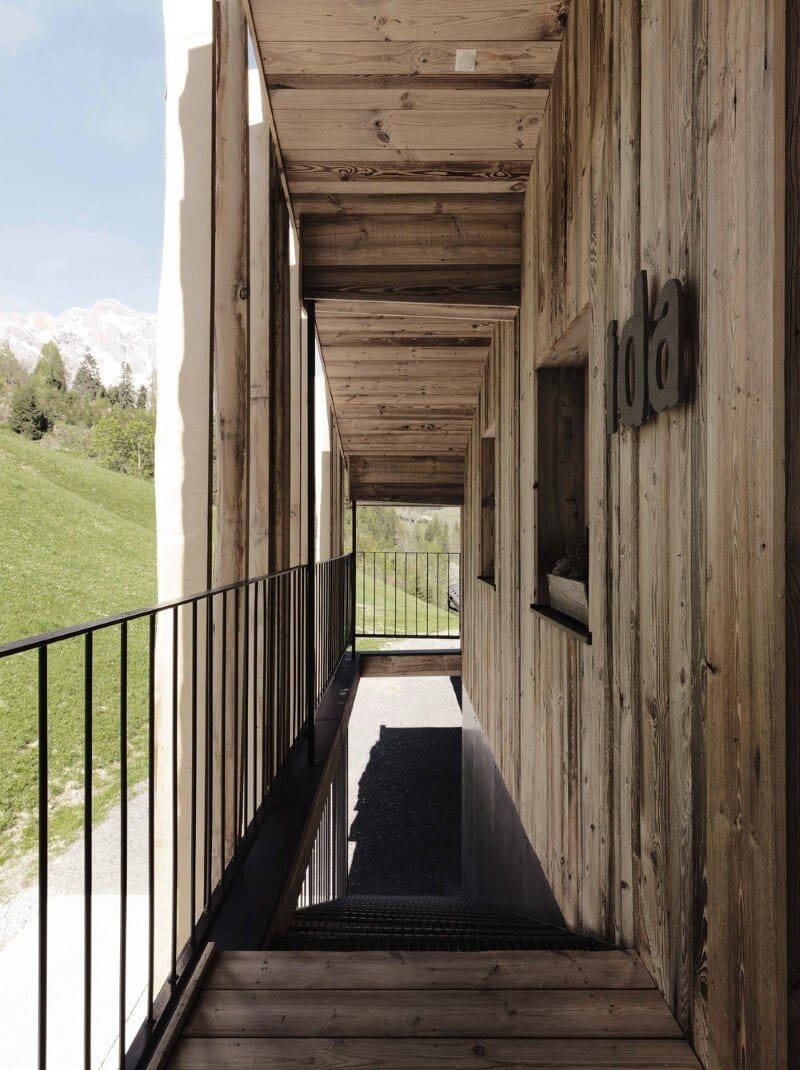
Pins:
x,y
183,421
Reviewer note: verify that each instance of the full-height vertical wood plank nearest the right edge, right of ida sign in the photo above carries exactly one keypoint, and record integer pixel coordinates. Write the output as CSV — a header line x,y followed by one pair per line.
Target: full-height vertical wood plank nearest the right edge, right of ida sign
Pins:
x,y
746,634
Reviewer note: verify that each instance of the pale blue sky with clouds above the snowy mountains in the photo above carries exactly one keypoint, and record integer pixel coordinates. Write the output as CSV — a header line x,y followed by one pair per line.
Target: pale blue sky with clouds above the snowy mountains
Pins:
x,y
82,148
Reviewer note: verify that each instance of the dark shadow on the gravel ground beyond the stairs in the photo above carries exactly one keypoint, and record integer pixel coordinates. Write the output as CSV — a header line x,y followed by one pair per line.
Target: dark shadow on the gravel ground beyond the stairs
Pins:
x,y
408,824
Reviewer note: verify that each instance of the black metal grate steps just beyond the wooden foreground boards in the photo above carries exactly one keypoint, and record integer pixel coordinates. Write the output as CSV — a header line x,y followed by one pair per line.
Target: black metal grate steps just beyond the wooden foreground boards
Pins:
x,y
424,924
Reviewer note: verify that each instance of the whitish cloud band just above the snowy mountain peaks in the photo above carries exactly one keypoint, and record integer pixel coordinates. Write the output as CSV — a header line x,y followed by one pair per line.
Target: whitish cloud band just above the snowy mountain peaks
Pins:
x,y
53,267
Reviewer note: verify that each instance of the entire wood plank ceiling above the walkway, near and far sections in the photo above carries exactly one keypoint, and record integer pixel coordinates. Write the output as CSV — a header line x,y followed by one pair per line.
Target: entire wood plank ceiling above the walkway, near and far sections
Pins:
x,y
407,131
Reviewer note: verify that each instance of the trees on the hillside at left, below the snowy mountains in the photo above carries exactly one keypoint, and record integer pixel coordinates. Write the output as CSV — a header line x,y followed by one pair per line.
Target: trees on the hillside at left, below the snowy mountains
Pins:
x,y
116,425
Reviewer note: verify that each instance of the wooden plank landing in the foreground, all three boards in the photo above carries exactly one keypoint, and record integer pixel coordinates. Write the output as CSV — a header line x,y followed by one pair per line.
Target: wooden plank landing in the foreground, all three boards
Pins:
x,y
429,1012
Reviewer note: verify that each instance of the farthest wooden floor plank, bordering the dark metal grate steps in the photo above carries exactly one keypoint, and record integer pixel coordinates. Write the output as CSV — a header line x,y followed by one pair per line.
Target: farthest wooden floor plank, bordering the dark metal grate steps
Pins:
x,y
423,970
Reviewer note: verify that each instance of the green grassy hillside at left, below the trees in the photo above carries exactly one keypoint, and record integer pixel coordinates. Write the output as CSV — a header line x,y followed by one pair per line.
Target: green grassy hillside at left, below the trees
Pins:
x,y
78,544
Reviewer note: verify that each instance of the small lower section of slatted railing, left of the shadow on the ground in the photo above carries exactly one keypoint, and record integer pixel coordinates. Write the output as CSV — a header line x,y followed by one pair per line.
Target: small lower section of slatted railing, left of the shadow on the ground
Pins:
x,y
327,875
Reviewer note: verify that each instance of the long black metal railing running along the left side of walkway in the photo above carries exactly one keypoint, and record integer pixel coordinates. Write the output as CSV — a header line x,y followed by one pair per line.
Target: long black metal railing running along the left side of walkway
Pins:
x,y
205,699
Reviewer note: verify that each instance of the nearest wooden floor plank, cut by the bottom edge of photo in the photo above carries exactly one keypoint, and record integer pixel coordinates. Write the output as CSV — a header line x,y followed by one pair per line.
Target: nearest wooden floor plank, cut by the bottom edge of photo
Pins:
x,y
451,1054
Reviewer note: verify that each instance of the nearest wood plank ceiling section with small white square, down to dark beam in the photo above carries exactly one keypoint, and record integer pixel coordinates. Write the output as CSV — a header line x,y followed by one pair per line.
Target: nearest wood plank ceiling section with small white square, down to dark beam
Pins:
x,y
407,131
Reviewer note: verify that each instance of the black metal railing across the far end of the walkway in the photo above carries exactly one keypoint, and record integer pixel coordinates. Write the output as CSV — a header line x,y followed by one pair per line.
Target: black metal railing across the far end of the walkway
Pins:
x,y
407,595
